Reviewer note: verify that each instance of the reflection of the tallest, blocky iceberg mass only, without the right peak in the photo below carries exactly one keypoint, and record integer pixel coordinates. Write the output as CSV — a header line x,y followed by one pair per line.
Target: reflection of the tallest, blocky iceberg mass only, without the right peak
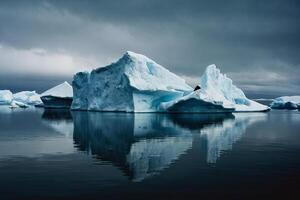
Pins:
x,y
140,144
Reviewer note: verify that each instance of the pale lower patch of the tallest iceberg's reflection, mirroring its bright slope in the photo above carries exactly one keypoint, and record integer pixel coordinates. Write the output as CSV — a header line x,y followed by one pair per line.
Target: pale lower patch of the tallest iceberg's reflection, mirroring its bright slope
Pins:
x,y
149,156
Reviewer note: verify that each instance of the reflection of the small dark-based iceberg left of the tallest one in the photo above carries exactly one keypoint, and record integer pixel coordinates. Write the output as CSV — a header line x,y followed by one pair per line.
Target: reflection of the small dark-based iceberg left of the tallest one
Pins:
x,y
59,120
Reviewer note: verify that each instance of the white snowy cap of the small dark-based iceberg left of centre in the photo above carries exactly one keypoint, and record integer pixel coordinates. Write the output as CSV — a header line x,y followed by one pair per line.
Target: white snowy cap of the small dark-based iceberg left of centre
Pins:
x,y
63,90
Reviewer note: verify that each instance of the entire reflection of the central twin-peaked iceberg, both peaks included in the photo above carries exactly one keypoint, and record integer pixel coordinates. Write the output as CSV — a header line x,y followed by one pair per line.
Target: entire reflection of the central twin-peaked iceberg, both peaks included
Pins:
x,y
143,145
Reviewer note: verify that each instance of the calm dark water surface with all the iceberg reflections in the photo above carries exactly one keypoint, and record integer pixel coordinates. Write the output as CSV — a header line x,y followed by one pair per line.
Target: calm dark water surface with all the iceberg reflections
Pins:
x,y
80,155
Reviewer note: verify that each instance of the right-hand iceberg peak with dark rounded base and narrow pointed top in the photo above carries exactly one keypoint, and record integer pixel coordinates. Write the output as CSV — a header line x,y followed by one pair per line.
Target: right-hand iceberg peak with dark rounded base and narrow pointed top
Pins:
x,y
218,90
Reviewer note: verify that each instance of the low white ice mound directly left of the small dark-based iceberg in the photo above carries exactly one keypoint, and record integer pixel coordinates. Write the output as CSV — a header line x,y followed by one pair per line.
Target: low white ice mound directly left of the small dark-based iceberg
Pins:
x,y
27,97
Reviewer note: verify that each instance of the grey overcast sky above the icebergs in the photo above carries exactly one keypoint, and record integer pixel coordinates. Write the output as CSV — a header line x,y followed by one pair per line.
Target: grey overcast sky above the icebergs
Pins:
x,y
255,42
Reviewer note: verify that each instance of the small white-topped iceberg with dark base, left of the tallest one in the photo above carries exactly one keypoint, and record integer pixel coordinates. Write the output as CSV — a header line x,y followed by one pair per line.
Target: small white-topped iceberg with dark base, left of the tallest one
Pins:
x,y
59,96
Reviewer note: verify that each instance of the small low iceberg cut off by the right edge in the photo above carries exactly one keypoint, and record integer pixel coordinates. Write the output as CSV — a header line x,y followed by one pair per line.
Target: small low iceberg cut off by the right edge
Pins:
x,y
286,102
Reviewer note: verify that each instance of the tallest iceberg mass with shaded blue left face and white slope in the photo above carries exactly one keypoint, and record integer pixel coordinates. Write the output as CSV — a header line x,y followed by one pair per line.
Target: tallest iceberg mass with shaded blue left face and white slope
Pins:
x,y
134,83
